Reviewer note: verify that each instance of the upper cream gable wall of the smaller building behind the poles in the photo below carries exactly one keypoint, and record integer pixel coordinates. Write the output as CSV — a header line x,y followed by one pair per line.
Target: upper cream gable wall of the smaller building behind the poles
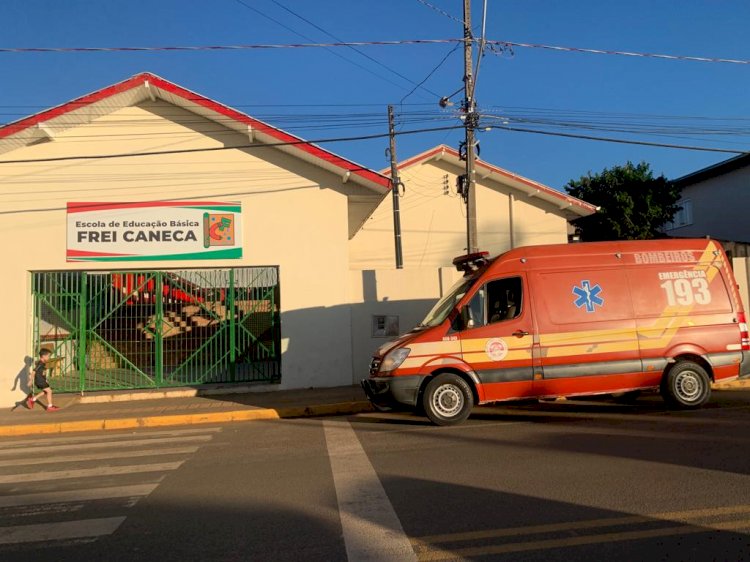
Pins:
x,y
433,221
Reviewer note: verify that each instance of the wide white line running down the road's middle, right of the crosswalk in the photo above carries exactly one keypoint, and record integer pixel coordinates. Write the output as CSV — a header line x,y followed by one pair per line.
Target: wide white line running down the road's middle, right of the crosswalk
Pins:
x,y
372,530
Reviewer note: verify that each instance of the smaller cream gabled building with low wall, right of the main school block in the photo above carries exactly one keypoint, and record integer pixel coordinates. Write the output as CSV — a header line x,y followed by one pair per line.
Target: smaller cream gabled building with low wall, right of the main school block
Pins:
x,y
512,211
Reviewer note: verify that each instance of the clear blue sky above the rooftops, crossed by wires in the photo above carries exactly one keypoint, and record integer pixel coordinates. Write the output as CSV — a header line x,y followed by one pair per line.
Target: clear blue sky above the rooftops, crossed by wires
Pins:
x,y
330,93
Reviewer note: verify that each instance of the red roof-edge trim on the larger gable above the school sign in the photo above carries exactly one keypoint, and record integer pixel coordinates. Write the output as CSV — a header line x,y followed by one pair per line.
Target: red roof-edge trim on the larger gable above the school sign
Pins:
x,y
140,79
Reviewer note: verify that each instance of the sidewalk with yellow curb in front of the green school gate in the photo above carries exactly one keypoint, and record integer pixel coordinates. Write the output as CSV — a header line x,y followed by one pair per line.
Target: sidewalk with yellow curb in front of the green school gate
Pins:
x,y
126,410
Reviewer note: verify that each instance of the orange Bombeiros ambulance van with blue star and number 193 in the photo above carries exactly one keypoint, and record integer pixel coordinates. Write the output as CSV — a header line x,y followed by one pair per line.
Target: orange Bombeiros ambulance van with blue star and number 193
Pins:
x,y
571,320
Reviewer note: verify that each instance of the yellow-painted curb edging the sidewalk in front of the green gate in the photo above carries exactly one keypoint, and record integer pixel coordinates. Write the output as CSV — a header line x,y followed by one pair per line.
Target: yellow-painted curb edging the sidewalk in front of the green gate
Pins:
x,y
186,419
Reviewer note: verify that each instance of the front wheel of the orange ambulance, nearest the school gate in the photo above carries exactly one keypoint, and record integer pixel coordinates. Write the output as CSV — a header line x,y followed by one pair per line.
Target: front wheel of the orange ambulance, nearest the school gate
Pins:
x,y
447,400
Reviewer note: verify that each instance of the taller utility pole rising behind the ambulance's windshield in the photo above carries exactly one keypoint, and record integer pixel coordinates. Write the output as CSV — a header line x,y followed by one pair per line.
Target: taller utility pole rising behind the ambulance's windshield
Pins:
x,y
470,124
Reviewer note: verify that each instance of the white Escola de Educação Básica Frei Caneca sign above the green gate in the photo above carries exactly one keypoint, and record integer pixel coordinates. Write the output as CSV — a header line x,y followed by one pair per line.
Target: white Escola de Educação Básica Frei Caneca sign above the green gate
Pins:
x,y
151,231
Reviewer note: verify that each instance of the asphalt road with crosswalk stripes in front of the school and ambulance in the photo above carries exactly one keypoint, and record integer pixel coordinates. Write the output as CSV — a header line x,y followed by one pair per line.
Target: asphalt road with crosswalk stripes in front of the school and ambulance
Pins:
x,y
551,481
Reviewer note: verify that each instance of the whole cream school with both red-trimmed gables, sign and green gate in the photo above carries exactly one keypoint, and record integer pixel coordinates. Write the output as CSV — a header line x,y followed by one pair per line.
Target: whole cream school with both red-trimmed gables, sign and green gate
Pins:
x,y
155,238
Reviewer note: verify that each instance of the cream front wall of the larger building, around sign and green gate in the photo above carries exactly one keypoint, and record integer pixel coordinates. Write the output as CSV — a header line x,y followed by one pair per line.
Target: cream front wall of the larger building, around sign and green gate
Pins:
x,y
294,215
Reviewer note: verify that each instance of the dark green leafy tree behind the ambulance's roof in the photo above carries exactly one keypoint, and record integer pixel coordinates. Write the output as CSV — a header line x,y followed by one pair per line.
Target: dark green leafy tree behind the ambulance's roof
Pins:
x,y
634,205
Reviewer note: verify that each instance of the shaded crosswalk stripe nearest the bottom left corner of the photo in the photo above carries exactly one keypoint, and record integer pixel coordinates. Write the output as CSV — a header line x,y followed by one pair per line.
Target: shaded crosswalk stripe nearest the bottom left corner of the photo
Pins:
x,y
43,532
